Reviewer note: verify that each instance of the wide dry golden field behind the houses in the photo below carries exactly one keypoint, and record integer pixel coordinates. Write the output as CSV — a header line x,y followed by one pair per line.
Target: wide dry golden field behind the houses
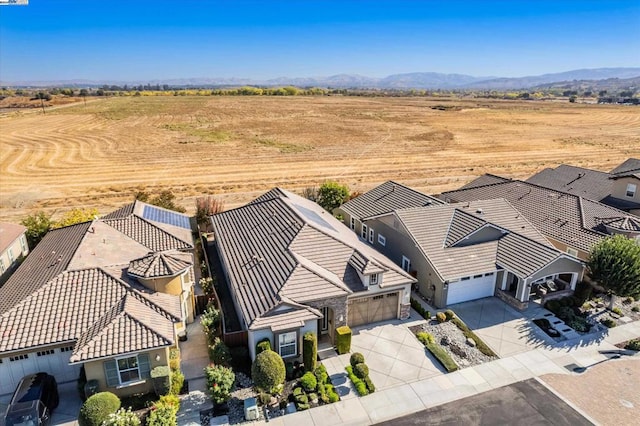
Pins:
x,y
98,155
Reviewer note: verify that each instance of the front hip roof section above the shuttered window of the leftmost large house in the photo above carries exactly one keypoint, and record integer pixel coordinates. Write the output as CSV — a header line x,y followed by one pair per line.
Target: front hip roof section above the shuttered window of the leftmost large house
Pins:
x,y
129,326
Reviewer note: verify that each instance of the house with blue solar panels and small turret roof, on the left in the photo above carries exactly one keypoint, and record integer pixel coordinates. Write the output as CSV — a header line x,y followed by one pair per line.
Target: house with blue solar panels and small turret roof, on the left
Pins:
x,y
111,295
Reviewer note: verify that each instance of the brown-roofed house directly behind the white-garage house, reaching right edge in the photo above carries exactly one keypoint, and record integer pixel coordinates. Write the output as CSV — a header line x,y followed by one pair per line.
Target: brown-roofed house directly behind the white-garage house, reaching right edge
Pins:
x,y
573,224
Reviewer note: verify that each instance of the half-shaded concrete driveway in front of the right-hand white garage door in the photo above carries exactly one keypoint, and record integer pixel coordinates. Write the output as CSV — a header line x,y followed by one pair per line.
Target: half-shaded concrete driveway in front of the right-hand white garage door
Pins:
x,y
506,331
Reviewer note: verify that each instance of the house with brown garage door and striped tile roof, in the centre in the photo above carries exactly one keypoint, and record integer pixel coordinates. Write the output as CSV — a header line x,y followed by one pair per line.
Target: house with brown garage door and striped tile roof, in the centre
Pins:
x,y
292,267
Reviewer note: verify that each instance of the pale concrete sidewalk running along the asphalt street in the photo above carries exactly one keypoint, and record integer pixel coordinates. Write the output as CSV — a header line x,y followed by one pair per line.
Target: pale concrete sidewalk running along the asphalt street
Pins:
x,y
409,398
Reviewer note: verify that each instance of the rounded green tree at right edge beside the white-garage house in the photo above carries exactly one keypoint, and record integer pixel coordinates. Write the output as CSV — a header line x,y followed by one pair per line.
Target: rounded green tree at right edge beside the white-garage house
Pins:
x,y
614,263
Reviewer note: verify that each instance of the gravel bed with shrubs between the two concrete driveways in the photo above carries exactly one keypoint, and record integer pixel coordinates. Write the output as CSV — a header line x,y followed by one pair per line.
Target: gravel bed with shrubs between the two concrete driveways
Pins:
x,y
451,338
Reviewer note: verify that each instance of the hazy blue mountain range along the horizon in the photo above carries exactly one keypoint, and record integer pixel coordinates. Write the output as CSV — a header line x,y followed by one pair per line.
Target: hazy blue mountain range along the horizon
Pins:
x,y
417,80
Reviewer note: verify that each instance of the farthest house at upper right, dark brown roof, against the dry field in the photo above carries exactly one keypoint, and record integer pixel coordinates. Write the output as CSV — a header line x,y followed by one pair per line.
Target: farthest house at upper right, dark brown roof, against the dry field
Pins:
x,y
617,188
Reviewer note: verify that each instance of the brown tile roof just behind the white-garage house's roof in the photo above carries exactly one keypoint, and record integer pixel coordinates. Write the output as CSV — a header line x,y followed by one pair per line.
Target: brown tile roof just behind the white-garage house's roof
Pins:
x,y
565,217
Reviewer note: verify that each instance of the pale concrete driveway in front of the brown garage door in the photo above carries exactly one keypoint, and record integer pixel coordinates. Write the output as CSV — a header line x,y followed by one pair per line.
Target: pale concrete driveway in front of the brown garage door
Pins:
x,y
391,351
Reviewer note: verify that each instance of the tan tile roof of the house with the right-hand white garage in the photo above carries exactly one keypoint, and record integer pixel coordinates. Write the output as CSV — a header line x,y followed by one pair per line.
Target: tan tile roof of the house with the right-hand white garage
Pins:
x,y
431,228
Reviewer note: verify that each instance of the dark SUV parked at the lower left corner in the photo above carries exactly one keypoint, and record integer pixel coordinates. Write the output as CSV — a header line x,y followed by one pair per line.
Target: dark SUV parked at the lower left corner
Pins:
x,y
33,401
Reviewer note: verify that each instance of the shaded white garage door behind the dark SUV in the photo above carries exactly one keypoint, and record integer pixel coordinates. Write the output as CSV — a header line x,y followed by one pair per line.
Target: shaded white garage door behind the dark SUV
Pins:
x,y
52,361
